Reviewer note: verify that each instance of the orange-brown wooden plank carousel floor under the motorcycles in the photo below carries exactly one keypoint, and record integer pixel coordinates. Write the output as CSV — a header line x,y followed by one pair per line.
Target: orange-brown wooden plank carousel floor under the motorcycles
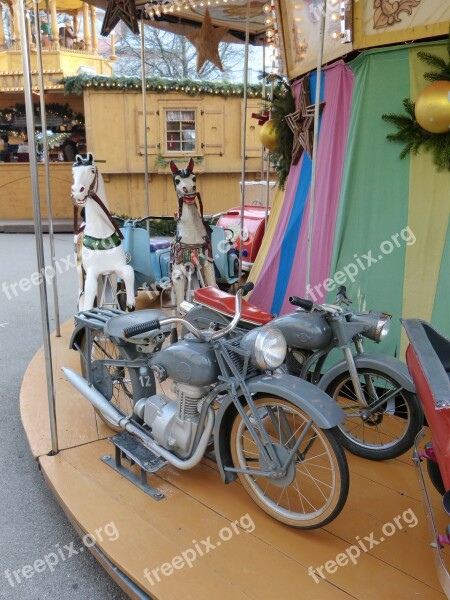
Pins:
x,y
176,547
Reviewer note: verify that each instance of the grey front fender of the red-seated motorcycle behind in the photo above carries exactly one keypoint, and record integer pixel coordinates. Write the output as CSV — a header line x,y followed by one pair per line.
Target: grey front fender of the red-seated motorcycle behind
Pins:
x,y
389,365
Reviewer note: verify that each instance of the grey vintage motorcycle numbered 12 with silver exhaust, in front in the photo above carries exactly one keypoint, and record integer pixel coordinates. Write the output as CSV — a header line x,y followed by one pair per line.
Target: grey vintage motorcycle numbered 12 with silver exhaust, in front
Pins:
x,y
274,432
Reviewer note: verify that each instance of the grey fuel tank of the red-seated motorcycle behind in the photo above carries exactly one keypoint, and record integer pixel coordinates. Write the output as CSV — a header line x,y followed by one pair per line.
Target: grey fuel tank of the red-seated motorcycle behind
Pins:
x,y
304,330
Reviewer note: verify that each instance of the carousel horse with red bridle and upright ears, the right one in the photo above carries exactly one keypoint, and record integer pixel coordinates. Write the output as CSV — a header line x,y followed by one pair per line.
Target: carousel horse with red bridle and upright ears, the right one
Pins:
x,y
191,249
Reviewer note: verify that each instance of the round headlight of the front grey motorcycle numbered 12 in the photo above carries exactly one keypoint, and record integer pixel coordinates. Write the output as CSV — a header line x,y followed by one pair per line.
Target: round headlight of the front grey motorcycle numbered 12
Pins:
x,y
267,346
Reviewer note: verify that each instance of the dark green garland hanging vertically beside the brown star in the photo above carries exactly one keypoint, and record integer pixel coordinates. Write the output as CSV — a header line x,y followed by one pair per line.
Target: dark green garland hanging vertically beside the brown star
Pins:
x,y
283,103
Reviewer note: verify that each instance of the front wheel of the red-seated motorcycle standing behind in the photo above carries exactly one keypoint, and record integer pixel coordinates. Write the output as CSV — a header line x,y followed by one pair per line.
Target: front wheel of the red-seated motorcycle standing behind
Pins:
x,y
386,432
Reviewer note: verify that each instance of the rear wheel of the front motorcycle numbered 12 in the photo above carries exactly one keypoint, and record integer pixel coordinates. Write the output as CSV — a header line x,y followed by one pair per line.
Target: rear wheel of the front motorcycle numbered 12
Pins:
x,y
116,384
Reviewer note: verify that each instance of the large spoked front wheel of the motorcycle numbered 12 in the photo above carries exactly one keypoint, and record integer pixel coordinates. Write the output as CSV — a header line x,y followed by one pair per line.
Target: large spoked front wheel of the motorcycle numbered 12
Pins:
x,y
316,488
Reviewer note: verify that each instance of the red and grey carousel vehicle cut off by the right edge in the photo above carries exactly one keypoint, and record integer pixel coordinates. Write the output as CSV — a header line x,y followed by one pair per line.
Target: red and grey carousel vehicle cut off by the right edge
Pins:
x,y
428,360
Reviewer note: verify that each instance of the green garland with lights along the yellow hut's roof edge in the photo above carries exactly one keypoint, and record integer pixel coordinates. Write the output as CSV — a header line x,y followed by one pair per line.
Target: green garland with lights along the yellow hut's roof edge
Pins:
x,y
160,85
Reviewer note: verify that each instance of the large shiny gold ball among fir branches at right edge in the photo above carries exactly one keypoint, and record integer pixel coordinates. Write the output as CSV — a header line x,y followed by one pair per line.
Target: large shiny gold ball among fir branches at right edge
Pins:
x,y
433,107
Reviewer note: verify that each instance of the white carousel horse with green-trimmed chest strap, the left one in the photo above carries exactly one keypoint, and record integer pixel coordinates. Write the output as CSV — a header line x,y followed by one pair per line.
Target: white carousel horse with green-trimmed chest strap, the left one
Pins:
x,y
101,252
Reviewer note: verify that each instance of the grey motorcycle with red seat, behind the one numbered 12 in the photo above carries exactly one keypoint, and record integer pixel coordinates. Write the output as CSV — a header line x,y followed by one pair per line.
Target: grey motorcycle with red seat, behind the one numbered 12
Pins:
x,y
382,412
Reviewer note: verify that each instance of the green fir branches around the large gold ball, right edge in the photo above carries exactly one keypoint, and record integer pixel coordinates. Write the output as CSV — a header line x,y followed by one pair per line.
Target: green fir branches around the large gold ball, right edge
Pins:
x,y
408,129
